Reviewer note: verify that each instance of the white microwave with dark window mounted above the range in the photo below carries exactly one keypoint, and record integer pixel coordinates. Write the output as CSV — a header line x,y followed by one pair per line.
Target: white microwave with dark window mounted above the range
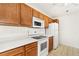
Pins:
x,y
36,22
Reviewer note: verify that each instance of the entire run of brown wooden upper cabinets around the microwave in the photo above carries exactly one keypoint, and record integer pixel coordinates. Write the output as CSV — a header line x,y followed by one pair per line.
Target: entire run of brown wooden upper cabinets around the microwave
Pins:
x,y
21,14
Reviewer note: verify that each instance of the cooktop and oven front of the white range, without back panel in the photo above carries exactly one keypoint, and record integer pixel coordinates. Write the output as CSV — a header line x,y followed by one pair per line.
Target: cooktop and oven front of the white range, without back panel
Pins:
x,y
42,45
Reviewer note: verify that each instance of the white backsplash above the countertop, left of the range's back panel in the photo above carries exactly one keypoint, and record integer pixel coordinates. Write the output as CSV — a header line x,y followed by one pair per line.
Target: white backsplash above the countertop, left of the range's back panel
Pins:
x,y
12,32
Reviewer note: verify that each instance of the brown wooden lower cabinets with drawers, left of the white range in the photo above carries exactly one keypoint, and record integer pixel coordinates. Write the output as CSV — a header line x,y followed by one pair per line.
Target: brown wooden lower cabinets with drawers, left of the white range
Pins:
x,y
26,50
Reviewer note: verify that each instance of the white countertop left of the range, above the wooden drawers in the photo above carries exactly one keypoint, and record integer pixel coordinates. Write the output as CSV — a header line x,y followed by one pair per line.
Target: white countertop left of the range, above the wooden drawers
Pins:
x,y
10,44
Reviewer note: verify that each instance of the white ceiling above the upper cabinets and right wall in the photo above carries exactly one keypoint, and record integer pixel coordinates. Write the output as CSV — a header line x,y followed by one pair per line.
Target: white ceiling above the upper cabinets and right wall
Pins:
x,y
57,9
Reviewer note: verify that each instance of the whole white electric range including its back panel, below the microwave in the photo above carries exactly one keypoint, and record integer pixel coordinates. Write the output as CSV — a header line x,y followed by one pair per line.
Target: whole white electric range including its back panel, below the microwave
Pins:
x,y
39,35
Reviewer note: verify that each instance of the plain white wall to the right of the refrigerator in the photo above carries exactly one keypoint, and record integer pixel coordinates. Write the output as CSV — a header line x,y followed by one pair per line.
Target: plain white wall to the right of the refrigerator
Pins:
x,y
69,30
